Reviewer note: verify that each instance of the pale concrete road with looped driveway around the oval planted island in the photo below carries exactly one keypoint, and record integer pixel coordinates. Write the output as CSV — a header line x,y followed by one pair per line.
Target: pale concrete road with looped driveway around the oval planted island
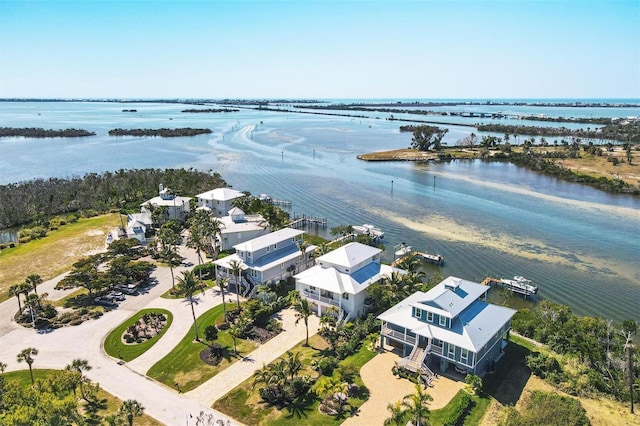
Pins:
x,y
62,346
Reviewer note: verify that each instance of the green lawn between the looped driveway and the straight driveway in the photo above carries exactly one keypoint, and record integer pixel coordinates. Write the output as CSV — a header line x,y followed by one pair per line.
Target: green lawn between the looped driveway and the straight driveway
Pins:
x,y
183,364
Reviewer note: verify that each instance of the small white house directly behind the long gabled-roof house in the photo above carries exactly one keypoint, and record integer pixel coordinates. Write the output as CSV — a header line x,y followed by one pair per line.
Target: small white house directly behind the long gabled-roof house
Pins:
x,y
238,227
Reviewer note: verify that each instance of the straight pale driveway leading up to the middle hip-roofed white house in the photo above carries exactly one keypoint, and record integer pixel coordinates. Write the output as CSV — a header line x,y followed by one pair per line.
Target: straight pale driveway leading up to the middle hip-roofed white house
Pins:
x,y
226,380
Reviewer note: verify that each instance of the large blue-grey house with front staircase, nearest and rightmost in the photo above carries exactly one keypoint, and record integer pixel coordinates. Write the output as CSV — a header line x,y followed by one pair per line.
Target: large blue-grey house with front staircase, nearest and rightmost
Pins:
x,y
451,325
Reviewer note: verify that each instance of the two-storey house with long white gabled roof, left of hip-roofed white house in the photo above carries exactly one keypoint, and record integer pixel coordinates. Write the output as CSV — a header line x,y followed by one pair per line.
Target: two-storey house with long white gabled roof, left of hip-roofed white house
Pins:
x,y
266,259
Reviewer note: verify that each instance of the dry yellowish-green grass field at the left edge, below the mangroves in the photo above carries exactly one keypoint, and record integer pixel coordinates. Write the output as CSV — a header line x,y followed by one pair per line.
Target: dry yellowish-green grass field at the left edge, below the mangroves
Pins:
x,y
55,253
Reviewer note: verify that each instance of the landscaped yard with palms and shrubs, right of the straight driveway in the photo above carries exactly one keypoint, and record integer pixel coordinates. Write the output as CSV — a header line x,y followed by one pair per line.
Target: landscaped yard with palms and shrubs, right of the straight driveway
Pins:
x,y
246,404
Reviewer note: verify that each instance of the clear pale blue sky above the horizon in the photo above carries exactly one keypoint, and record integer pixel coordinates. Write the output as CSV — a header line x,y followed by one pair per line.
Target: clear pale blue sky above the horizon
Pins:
x,y
320,49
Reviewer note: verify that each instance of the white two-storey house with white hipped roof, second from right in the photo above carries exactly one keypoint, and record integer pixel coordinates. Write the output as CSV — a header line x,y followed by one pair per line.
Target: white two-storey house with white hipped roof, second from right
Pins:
x,y
341,277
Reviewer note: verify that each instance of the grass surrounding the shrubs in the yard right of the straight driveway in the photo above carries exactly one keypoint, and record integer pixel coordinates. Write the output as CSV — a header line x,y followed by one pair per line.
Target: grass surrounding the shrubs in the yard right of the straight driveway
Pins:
x,y
244,403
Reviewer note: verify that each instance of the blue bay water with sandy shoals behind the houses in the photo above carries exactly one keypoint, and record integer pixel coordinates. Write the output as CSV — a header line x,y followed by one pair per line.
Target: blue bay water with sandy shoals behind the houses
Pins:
x,y
578,244
